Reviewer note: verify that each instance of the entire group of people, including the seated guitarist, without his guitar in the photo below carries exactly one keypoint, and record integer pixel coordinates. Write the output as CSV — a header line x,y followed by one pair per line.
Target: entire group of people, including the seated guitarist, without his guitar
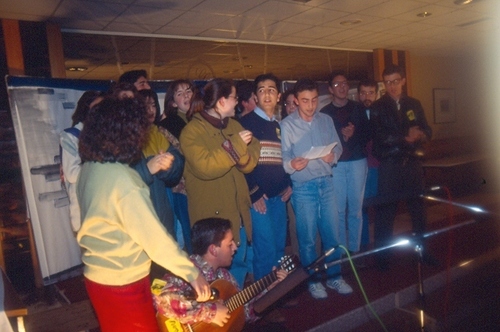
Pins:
x,y
196,162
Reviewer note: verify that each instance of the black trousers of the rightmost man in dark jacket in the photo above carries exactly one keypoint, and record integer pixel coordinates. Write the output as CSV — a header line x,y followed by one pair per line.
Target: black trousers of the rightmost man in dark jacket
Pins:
x,y
400,179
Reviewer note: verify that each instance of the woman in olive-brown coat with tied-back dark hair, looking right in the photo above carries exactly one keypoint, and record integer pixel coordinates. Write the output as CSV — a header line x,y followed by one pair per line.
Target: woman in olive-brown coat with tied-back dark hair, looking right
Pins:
x,y
218,152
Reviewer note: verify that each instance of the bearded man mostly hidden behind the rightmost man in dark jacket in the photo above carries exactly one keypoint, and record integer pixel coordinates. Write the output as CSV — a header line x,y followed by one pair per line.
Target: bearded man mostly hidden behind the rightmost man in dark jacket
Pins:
x,y
367,94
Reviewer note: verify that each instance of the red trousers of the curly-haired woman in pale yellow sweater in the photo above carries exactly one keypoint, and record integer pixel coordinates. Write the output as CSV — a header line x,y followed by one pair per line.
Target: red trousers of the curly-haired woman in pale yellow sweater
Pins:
x,y
123,308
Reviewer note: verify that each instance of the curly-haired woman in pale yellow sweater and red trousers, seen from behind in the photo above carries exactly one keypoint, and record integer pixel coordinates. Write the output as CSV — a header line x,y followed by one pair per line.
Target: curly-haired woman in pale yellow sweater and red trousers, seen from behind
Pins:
x,y
120,232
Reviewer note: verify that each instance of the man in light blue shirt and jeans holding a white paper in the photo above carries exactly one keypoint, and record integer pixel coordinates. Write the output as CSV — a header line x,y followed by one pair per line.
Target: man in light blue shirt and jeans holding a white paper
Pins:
x,y
313,197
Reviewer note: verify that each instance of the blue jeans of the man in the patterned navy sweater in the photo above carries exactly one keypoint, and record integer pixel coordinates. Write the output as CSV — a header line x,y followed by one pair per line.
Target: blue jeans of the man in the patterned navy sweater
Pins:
x,y
268,236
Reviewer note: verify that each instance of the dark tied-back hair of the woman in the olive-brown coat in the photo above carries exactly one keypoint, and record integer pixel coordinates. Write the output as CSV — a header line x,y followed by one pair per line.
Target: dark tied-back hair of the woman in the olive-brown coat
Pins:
x,y
213,91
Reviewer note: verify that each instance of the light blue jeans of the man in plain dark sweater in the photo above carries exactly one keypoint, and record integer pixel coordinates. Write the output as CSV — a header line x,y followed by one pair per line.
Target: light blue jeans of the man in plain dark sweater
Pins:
x,y
349,178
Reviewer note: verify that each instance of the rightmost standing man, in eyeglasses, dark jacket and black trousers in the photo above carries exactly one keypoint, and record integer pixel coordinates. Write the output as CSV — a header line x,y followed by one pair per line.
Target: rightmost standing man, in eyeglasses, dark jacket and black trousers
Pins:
x,y
401,129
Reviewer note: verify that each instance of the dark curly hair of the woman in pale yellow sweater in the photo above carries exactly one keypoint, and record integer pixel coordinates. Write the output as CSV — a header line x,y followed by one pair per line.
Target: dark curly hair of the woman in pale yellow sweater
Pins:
x,y
115,131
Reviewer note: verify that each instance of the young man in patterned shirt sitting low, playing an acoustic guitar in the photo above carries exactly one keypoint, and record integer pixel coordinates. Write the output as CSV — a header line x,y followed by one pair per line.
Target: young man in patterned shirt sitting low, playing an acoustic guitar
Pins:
x,y
213,250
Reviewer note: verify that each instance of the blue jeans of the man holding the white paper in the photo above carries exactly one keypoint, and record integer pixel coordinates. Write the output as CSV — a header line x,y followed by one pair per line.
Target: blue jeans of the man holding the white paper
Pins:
x,y
316,210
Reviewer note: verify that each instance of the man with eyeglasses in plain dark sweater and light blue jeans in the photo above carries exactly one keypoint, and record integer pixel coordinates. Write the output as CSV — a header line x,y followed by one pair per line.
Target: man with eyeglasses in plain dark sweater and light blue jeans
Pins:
x,y
349,174
